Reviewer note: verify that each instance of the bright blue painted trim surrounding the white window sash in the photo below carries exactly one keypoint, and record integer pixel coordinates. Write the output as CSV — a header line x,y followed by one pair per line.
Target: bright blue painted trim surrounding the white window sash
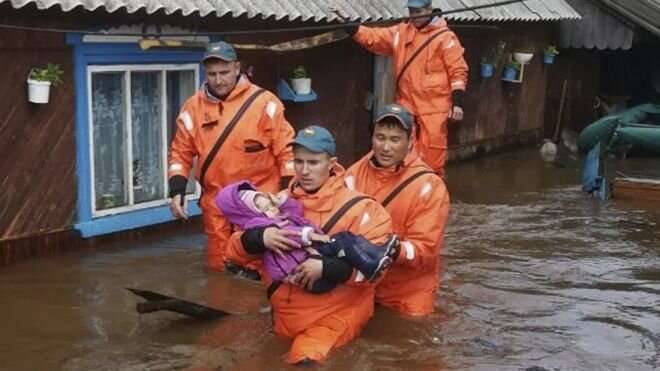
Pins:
x,y
85,54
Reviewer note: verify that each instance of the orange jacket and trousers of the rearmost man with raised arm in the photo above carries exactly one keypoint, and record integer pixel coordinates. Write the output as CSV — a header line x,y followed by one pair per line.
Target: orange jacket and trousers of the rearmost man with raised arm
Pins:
x,y
426,86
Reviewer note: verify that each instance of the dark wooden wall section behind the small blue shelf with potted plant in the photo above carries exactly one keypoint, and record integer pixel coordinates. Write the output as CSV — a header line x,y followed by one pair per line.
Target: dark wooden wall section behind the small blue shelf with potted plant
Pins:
x,y
342,78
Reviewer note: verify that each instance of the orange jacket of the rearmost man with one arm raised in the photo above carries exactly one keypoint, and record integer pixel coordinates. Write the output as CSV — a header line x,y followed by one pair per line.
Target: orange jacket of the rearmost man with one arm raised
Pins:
x,y
426,85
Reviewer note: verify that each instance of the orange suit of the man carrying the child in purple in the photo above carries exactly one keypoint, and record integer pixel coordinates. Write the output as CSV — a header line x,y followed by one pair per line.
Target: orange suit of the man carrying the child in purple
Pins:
x,y
319,323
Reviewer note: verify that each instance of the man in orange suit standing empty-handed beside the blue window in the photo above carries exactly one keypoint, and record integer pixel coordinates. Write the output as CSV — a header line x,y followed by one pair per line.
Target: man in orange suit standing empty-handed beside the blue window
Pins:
x,y
255,150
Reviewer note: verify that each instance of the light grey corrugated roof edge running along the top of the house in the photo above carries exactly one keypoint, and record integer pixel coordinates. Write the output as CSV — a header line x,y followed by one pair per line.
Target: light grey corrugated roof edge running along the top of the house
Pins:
x,y
317,10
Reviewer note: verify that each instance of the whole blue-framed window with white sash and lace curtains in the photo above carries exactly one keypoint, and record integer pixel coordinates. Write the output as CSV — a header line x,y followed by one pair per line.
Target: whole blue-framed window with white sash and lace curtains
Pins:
x,y
118,87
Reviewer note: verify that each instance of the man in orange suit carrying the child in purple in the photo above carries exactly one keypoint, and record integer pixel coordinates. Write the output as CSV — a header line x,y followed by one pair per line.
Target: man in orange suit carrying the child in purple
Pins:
x,y
318,323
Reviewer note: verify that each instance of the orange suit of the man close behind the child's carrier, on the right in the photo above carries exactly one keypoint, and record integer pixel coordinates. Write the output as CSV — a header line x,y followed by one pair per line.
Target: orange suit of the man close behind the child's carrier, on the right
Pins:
x,y
419,214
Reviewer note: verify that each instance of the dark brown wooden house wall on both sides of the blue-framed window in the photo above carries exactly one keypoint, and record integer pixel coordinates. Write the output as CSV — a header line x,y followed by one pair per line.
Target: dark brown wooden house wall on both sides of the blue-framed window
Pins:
x,y
37,142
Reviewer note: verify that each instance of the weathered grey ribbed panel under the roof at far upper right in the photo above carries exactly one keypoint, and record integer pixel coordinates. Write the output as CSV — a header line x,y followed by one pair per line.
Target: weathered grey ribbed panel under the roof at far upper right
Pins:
x,y
597,29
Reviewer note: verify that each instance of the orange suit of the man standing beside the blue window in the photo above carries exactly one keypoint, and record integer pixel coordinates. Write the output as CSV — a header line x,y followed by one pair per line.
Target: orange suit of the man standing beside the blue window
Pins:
x,y
256,150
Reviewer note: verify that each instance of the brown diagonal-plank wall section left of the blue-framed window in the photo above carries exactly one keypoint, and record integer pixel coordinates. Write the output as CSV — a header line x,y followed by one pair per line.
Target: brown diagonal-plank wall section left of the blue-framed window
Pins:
x,y
37,145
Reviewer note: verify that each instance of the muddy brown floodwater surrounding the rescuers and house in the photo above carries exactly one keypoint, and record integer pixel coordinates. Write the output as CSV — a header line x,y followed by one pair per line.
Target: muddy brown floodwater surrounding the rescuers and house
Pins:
x,y
537,276
